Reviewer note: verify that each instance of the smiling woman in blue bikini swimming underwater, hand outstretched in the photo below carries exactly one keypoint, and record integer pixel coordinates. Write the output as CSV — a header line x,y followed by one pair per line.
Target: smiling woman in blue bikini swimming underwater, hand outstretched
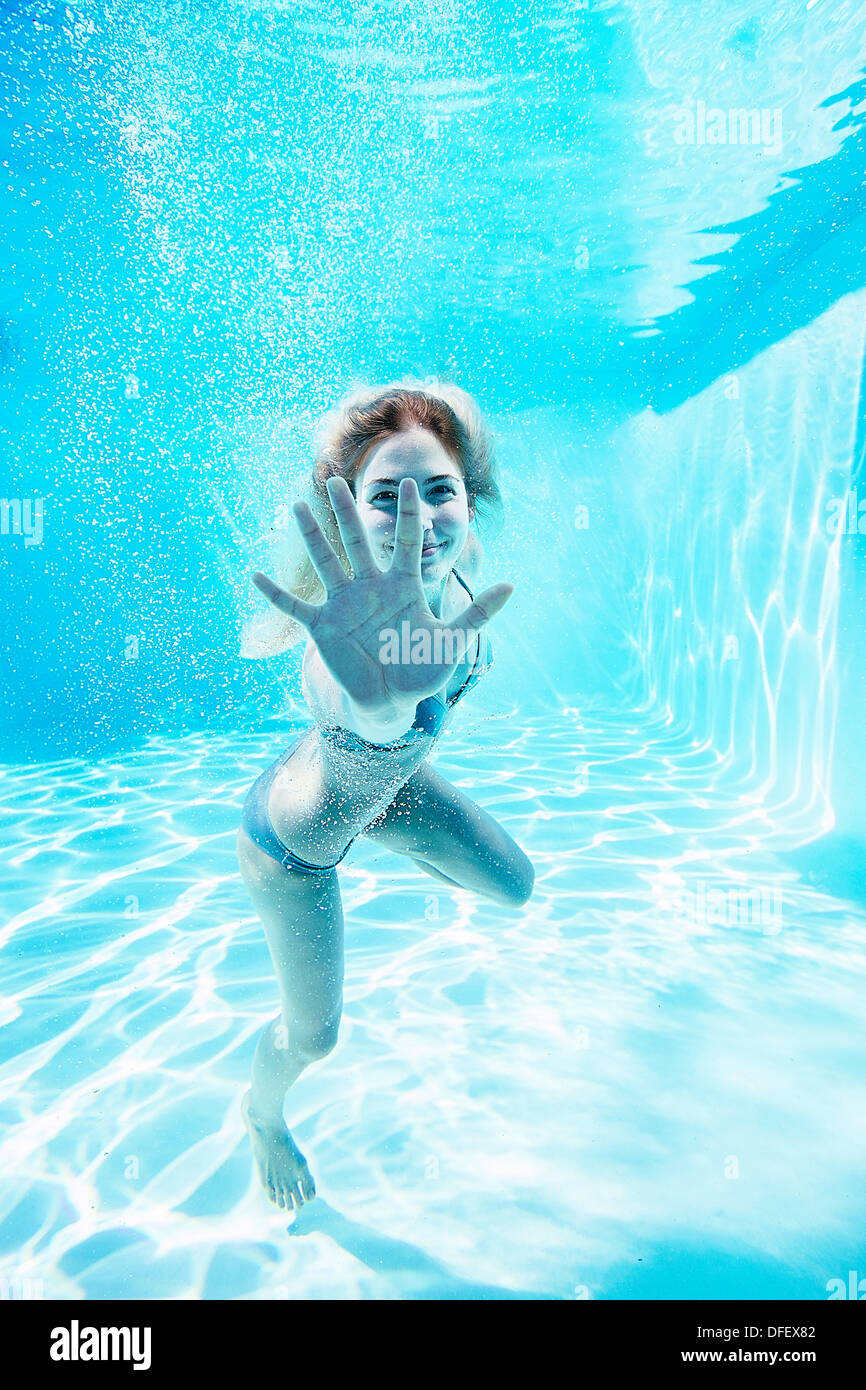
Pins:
x,y
395,489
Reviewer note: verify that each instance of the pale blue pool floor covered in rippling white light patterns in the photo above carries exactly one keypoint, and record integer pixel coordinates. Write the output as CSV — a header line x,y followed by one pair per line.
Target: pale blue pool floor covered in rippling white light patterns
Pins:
x,y
646,1084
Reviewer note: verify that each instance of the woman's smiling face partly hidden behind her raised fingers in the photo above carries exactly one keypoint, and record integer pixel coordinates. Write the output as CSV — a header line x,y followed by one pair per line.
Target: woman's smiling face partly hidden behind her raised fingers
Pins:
x,y
446,509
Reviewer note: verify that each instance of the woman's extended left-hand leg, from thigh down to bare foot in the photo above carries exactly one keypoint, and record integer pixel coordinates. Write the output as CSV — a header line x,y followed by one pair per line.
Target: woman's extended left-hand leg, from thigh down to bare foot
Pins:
x,y
304,924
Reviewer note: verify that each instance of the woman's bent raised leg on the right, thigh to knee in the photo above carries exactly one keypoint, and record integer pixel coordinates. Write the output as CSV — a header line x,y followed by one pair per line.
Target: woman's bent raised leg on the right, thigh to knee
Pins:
x,y
454,840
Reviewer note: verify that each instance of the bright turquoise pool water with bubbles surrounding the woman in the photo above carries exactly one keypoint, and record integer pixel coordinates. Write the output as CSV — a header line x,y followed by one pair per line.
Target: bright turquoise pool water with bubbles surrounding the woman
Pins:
x,y
646,1084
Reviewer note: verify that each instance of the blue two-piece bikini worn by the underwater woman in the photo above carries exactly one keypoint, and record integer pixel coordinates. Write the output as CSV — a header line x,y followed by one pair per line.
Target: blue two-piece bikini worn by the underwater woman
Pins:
x,y
430,718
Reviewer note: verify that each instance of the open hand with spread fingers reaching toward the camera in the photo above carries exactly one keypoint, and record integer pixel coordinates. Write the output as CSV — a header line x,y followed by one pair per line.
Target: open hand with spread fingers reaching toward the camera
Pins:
x,y
348,629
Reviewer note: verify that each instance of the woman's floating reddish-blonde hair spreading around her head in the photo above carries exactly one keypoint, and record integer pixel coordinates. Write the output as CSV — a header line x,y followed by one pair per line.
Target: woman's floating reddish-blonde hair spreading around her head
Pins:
x,y
347,439
